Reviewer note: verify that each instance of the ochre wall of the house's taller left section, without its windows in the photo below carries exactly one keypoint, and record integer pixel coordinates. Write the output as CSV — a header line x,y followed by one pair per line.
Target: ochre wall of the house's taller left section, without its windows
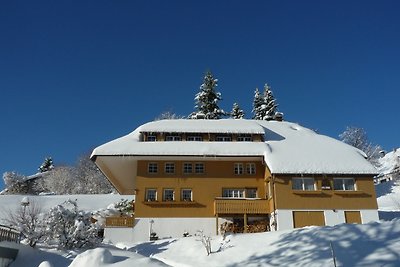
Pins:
x,y
206,187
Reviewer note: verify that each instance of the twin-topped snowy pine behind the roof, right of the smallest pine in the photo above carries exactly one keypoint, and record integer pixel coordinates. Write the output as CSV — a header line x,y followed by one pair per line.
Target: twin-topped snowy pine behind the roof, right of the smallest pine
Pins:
x,y
264,106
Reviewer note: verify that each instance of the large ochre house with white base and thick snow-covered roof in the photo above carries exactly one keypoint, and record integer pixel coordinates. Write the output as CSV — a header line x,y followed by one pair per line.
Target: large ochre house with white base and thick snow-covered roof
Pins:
x,y
190,175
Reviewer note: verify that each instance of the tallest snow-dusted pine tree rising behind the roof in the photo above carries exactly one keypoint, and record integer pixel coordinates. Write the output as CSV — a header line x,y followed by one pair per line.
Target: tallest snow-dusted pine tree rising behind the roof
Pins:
x,y
207,99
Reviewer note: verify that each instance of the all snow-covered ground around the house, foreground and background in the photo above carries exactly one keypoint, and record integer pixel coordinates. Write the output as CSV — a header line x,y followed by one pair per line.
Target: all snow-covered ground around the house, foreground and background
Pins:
x,y
374,244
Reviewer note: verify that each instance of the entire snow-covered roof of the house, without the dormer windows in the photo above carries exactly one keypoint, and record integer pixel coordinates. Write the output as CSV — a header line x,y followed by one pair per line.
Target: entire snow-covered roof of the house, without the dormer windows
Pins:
x,y
288,148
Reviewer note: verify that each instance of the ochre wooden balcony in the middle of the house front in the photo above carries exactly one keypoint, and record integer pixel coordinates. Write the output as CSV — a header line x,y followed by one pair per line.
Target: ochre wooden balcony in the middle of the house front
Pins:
x,y
241,206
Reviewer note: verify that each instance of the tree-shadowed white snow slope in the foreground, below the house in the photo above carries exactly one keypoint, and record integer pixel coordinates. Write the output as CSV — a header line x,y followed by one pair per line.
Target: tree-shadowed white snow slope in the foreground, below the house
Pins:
x,y
374,244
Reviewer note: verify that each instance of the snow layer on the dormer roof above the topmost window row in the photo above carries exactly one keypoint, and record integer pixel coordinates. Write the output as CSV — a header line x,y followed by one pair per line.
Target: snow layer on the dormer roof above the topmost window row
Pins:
x,y
228,126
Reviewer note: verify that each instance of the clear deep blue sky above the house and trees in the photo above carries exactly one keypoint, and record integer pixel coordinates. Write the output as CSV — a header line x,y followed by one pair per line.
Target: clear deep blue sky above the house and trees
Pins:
x,y
76,74
